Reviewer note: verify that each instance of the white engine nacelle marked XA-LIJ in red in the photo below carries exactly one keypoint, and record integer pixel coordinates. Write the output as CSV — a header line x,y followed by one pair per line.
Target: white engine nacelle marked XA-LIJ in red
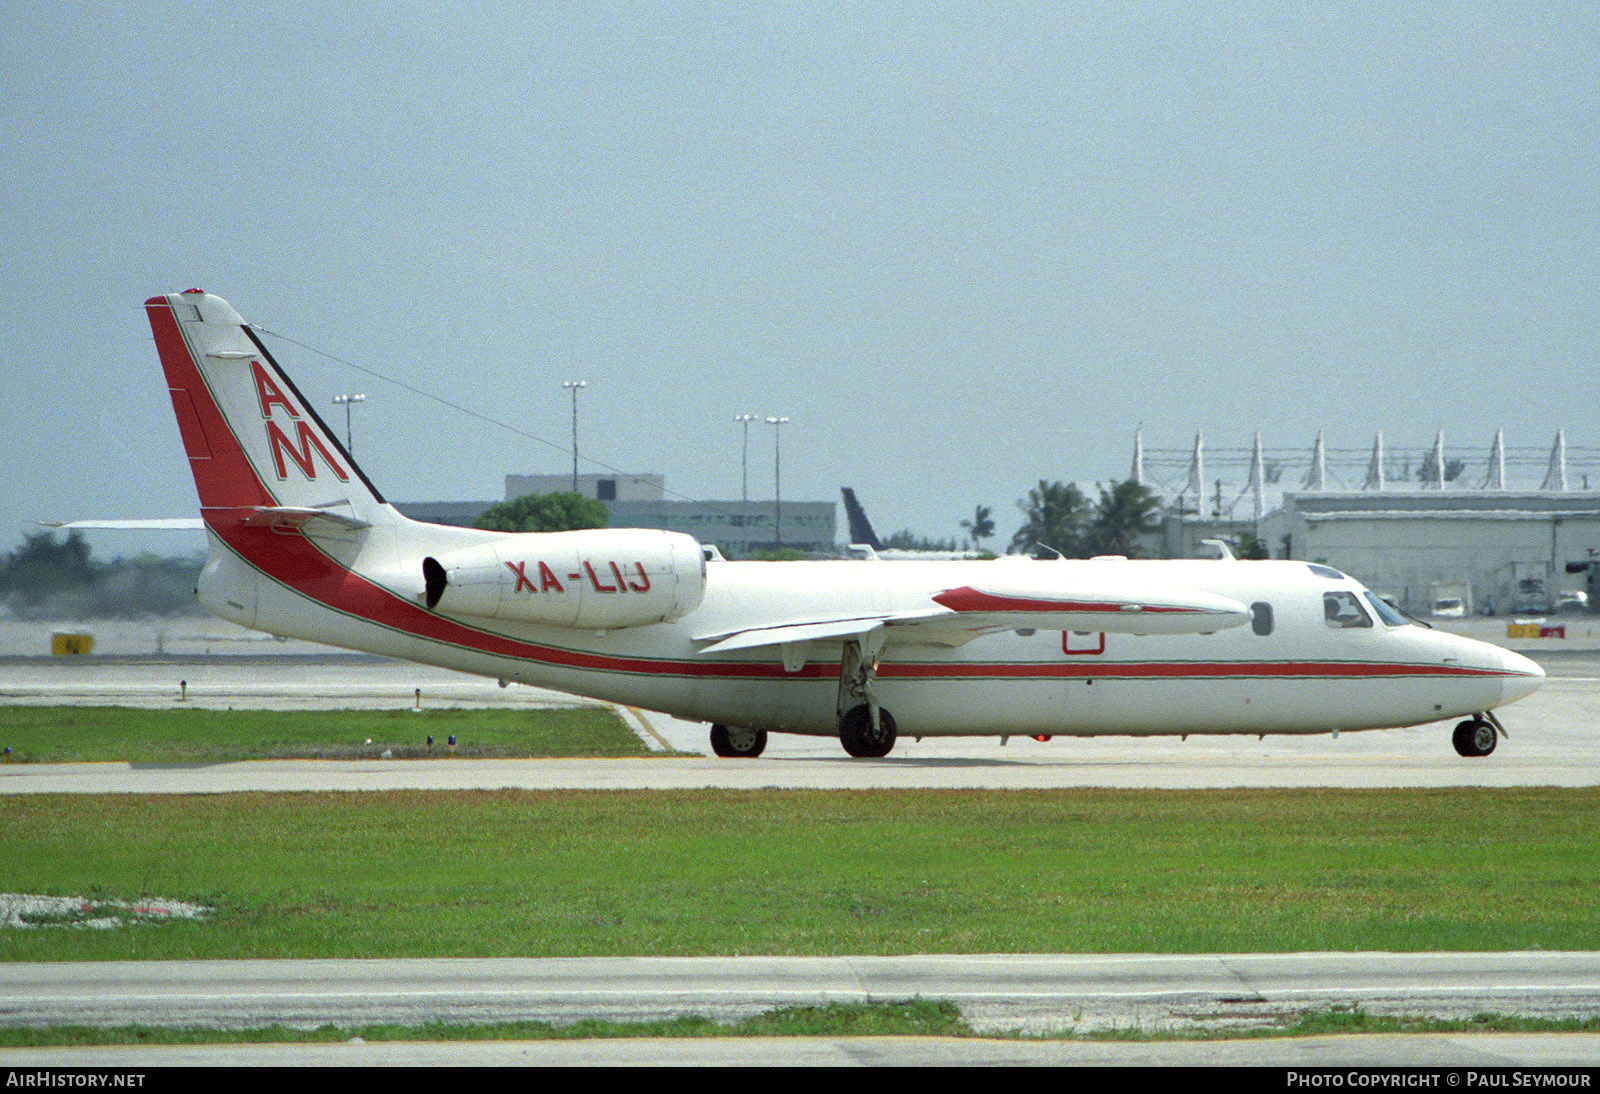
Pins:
x,y
596,580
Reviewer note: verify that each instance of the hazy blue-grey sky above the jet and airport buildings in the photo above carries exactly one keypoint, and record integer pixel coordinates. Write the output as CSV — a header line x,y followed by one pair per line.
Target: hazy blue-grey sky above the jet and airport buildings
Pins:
x,y
964,247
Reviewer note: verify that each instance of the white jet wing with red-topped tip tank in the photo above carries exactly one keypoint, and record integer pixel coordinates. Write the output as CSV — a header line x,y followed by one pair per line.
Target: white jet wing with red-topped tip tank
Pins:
x,y
961,615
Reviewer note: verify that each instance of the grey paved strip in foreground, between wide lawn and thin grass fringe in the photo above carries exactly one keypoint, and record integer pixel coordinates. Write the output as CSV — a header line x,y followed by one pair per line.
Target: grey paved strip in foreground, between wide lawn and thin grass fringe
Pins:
x,y
998,992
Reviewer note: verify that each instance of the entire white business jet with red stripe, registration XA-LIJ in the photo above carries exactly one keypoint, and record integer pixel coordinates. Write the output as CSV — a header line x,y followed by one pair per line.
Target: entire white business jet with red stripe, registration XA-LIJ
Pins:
x,y
302,545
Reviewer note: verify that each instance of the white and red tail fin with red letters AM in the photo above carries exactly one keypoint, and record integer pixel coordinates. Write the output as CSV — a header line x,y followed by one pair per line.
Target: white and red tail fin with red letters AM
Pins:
x,y
257,449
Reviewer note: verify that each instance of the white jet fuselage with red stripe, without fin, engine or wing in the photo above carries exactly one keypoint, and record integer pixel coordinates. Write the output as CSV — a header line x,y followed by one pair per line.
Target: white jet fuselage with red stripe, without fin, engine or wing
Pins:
x,y
1302,676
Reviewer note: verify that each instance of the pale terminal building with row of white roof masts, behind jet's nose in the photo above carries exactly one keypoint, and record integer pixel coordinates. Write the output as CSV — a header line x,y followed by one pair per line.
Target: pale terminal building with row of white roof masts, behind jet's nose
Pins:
x,y
1434,533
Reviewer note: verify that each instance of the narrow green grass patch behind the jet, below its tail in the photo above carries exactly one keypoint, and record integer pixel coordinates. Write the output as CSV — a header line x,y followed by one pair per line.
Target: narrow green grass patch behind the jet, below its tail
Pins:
x,y
190,735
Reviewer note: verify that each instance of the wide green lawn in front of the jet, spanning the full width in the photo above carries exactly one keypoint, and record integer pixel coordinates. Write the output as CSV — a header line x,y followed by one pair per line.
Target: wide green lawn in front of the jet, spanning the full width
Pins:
x,y
553,874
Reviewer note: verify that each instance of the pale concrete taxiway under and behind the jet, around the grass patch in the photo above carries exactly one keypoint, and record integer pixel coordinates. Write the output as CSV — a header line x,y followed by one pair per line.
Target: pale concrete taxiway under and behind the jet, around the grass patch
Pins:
x,y
1553,741
